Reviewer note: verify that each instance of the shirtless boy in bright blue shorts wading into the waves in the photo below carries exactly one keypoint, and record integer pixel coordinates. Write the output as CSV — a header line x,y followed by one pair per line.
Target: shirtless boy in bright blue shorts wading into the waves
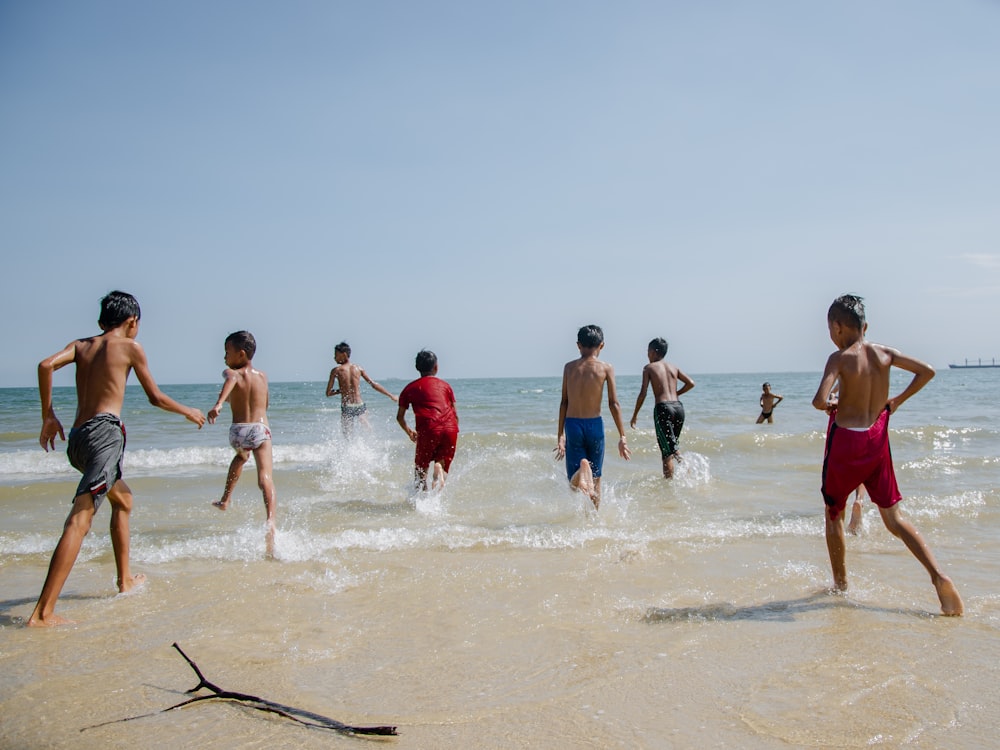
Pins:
x,y
580,433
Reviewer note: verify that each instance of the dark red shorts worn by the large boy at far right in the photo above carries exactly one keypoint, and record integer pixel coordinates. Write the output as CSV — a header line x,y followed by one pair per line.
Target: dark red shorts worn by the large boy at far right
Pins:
x,y
855,457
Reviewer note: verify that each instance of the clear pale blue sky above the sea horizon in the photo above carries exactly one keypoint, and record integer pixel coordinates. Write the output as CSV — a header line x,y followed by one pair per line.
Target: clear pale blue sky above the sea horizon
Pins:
x,y
483,178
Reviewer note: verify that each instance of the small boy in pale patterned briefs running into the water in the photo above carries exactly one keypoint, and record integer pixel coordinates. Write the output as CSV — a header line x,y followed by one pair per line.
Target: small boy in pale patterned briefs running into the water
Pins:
x,y
245,388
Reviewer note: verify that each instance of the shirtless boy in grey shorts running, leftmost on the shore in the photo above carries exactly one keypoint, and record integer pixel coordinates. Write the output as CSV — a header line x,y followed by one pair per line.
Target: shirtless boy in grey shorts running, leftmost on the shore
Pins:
x,y
97,439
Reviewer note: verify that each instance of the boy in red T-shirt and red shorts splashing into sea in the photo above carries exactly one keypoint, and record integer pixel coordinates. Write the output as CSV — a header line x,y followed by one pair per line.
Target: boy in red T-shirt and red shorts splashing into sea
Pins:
x,y
436,420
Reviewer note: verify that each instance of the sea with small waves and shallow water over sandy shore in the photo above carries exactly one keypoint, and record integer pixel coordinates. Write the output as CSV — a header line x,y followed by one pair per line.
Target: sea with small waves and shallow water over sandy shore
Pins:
x,y
503,612
